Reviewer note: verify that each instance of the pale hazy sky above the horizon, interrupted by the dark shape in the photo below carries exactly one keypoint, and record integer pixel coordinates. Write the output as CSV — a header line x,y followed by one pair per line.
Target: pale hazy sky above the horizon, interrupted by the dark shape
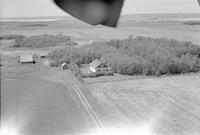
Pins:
x,y
28,8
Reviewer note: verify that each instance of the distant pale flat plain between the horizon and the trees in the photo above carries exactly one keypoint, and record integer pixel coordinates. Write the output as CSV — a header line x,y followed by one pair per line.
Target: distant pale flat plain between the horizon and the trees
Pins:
x,y
154,25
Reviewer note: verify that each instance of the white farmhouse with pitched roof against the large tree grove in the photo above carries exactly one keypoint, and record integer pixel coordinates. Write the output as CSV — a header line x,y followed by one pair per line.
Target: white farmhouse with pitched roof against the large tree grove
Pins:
x,y
97,65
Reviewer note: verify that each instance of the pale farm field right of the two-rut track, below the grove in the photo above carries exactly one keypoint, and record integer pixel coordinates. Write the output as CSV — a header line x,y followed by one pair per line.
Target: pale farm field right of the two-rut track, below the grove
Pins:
x,y
155,106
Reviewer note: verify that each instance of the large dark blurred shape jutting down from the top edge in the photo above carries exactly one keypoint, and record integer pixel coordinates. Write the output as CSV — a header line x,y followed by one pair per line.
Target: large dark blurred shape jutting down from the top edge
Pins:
x,y
105,12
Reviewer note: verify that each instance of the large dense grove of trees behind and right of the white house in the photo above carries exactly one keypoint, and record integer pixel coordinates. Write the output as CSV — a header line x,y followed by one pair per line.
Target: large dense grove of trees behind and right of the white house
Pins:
x,y
136,56
